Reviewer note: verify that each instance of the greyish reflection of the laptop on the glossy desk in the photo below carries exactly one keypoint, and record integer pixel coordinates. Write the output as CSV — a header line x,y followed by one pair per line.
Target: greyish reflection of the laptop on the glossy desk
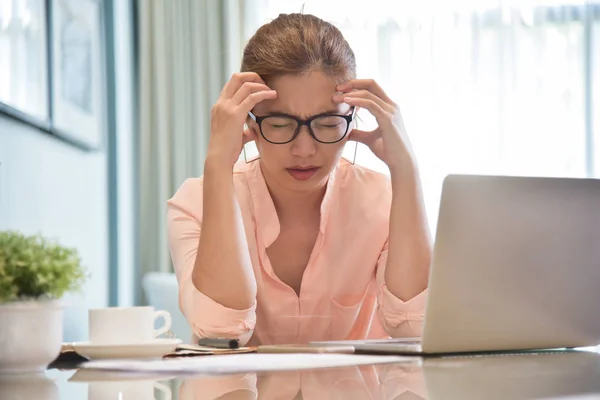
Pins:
x,y
566,374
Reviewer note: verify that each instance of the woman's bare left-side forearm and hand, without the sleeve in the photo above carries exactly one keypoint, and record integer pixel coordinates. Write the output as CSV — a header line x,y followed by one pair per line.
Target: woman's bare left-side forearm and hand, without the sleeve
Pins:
x,y
223,270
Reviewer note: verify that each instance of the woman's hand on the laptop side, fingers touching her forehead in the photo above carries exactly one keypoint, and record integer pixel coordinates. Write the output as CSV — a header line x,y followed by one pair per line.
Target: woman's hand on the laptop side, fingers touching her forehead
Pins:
x,y
389,141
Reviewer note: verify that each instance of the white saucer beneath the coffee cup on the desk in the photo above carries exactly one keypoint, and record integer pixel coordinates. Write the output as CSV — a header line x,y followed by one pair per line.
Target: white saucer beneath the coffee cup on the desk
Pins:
x,y
153,349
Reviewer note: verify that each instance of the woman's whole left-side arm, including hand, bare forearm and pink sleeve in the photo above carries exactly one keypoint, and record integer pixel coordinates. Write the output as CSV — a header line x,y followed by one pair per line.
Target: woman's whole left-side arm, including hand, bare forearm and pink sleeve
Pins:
x,y
210,252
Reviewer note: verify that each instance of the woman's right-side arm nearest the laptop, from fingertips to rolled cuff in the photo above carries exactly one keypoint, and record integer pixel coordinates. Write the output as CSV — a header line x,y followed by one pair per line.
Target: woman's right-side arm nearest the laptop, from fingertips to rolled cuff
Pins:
x,y
403,267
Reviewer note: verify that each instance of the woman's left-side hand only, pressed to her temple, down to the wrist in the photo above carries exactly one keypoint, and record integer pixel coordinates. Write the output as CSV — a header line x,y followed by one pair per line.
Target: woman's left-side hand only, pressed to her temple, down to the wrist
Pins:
x,y
227,136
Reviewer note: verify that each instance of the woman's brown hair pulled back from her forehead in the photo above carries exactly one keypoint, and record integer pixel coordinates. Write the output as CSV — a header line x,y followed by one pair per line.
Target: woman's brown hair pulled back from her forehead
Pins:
x,y
296,44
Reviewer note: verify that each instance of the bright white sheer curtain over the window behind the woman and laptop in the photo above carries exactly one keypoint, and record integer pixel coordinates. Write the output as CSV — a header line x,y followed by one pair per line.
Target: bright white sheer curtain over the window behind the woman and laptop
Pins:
x,y
485,86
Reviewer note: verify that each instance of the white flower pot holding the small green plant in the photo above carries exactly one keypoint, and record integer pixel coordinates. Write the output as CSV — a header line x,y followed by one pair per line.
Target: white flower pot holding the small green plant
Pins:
x,y
30,335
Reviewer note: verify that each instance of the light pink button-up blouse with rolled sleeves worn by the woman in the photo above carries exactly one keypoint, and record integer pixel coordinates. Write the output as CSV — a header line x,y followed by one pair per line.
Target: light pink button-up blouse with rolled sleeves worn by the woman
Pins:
x,y
343,294
